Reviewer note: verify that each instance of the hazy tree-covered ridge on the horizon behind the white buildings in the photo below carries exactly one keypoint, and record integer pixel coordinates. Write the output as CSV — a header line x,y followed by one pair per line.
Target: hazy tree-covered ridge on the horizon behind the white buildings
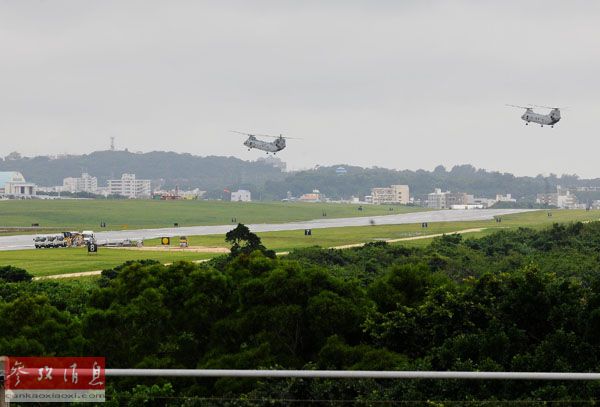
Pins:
x,y
213,174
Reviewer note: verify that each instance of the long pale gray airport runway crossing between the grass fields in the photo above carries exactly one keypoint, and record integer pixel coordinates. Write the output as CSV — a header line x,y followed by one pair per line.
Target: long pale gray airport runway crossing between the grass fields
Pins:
x,y
20,242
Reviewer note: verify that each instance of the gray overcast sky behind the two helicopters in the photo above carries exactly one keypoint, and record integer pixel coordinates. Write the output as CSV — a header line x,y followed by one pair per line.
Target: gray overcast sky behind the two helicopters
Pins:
x,y
395,84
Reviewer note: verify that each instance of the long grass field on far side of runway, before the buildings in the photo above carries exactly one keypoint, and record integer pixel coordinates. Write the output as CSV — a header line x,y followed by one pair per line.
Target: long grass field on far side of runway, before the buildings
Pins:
x,y
137,214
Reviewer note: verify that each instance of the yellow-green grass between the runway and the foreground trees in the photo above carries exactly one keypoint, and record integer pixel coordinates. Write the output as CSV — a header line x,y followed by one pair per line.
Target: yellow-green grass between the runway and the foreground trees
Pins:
x,y
63,261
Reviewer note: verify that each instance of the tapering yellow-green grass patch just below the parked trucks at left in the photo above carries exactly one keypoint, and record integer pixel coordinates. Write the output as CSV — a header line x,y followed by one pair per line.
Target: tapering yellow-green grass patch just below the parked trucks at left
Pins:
x,y
47,262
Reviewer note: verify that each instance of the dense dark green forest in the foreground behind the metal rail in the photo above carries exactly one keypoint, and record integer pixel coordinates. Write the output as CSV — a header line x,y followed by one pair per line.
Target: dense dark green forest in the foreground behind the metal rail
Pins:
x,y
520,300
